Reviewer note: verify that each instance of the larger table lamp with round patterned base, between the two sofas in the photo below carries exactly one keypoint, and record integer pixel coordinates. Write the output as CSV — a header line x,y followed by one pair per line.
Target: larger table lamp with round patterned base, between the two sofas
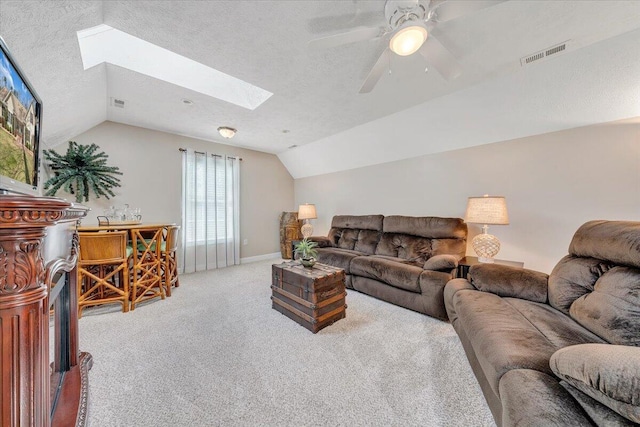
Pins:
x,y
486,210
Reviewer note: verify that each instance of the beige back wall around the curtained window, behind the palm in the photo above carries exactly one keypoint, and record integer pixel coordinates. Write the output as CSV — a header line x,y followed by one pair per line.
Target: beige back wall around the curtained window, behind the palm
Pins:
x,y
151,166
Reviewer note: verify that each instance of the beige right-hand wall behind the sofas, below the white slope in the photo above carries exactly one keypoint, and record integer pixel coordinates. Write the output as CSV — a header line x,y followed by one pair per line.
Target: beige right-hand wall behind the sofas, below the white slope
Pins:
x,y
553,183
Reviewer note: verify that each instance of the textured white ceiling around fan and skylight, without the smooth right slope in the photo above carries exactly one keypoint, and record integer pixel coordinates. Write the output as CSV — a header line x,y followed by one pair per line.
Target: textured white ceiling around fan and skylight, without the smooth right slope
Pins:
x,y
265,43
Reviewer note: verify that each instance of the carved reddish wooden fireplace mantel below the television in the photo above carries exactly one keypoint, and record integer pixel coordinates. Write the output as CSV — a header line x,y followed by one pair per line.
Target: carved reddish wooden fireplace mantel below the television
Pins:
x,y
38,273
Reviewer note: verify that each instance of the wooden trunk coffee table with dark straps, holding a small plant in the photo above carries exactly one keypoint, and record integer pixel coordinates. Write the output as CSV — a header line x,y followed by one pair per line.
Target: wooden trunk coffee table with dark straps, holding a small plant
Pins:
x,y
313,297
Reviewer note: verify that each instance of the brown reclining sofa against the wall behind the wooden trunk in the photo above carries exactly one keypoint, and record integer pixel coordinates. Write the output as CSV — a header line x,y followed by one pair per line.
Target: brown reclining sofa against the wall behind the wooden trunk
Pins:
x,y
404,260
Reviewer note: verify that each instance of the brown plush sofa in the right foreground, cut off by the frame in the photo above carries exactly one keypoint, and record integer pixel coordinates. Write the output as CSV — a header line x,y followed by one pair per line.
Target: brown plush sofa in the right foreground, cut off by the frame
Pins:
x,y
558,350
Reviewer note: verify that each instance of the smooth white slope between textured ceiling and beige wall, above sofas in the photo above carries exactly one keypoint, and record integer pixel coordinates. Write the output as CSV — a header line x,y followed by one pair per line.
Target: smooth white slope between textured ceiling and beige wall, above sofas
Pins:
x,y
569,90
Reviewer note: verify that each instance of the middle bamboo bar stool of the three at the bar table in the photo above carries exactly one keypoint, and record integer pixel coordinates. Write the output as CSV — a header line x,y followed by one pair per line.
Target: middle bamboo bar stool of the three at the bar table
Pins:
x,y
146,262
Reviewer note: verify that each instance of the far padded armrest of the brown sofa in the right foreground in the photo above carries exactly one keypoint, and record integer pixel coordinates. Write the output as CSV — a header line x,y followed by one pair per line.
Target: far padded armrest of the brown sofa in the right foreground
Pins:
x,y
507,281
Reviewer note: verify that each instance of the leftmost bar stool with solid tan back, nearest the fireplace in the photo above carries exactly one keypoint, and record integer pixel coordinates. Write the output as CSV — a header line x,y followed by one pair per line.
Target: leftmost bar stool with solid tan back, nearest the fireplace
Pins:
x,y
103,270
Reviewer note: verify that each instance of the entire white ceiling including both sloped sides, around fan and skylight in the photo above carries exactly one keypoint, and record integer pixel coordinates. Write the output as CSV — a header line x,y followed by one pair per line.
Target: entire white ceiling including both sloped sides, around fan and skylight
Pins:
x,y
316,104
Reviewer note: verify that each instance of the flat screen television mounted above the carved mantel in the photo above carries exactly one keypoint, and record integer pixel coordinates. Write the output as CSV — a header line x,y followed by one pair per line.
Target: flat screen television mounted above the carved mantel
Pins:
x,y
20,119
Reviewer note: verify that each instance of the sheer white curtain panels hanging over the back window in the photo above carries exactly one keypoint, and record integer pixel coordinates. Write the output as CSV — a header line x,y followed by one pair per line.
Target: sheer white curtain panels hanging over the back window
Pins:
x,y
210,211
